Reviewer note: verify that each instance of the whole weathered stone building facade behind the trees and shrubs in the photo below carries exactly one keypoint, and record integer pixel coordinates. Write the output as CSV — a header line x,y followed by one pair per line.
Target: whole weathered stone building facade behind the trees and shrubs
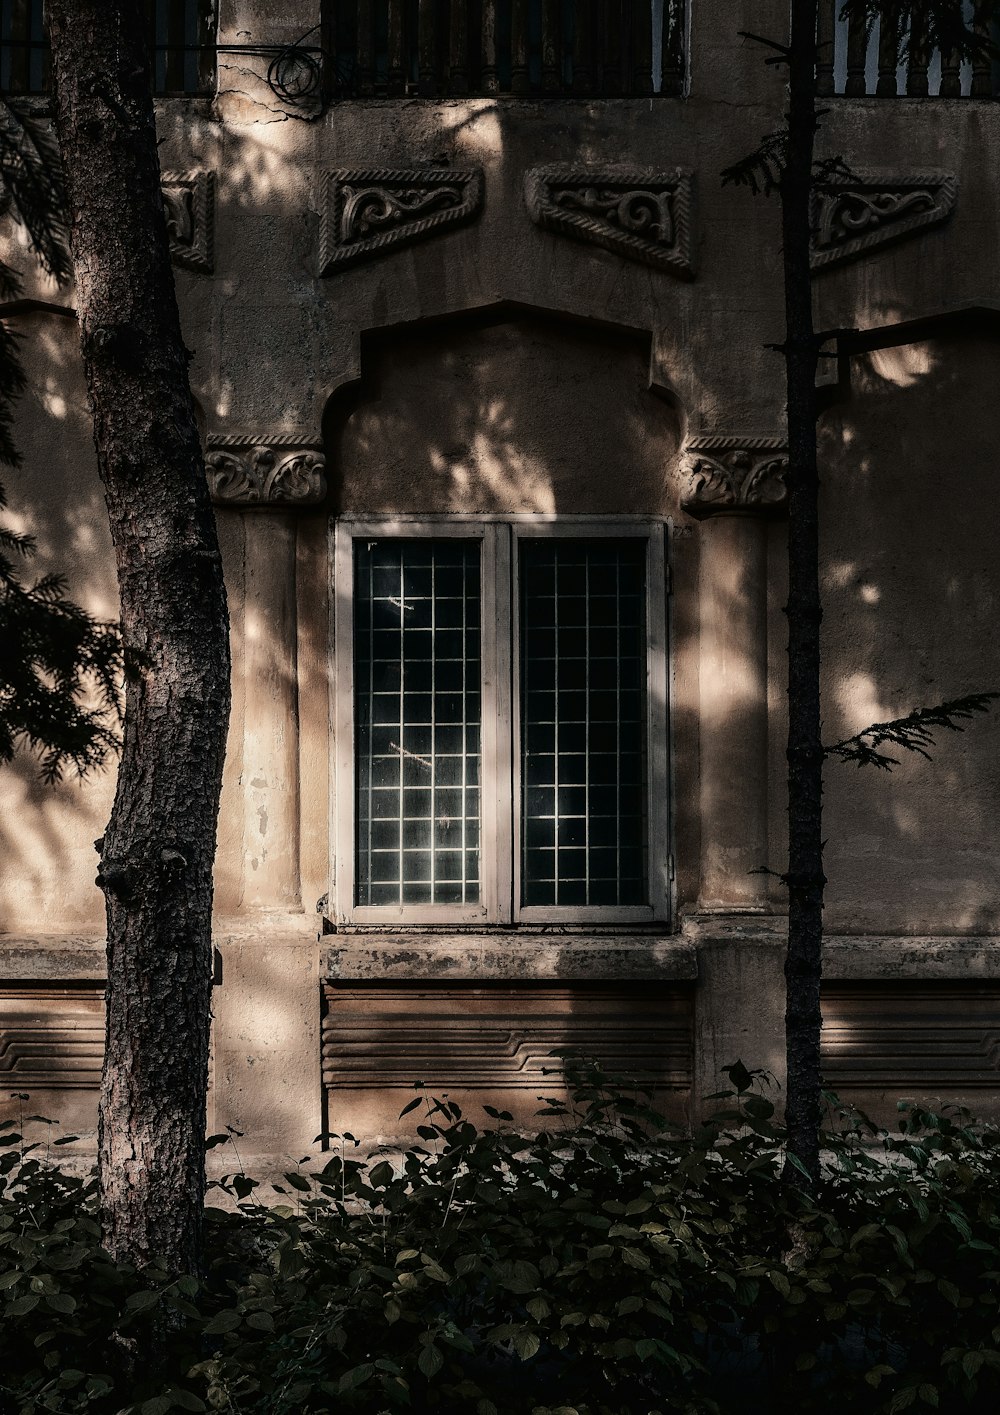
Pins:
x,y
497,446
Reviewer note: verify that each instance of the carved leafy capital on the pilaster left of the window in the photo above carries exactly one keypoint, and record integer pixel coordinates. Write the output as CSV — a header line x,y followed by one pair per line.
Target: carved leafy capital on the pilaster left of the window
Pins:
x,y
269,472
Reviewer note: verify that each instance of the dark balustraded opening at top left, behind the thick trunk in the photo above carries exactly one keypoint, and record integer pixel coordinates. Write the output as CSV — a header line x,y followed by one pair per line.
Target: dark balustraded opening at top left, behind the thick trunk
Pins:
x,y
182,39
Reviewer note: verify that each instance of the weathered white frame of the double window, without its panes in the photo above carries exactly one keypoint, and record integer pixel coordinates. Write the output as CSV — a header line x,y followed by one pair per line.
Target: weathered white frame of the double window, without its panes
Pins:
x,y
500,769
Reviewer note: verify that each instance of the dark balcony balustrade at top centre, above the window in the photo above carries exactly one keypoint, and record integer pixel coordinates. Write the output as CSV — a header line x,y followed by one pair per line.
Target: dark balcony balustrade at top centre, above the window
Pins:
x,y
523,49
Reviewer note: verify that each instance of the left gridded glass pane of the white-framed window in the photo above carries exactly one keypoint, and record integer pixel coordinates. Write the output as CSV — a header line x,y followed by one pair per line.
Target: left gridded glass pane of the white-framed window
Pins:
x,y
418,705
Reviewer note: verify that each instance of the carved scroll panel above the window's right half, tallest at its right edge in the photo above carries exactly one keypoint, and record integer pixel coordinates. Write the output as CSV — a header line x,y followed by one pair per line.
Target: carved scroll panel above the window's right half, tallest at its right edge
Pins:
x,y
636,213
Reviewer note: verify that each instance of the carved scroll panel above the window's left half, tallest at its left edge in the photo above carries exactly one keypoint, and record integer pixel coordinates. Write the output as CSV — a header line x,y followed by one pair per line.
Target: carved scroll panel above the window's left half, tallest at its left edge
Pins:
x,y
370,210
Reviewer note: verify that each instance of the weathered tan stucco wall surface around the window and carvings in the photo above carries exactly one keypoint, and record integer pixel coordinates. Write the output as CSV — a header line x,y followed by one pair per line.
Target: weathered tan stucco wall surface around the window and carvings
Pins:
x,y
503,369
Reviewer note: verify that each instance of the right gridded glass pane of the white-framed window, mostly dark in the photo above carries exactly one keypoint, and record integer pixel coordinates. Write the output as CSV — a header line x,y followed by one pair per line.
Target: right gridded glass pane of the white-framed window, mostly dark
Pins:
x,y
583,669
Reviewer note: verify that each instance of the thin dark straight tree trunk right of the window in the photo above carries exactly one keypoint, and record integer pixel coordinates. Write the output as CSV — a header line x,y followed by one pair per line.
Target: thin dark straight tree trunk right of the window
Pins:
x,y
806,751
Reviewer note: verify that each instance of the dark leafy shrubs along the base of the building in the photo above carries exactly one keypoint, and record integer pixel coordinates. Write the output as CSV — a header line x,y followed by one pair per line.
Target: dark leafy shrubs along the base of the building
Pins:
x,y
606,1267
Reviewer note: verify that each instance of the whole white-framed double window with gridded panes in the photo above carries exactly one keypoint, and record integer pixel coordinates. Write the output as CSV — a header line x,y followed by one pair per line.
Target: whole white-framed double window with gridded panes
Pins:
x,y
501,722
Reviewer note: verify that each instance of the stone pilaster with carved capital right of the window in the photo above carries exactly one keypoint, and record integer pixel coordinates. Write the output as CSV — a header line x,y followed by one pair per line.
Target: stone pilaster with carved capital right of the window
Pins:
x,y
732,486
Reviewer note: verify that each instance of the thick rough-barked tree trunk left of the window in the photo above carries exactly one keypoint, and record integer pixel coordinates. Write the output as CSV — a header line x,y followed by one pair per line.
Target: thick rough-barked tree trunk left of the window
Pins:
x,y
156,858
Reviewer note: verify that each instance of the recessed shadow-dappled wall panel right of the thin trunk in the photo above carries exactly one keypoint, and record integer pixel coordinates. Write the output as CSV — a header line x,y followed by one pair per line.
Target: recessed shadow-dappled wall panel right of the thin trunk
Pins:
x,y
912,596
